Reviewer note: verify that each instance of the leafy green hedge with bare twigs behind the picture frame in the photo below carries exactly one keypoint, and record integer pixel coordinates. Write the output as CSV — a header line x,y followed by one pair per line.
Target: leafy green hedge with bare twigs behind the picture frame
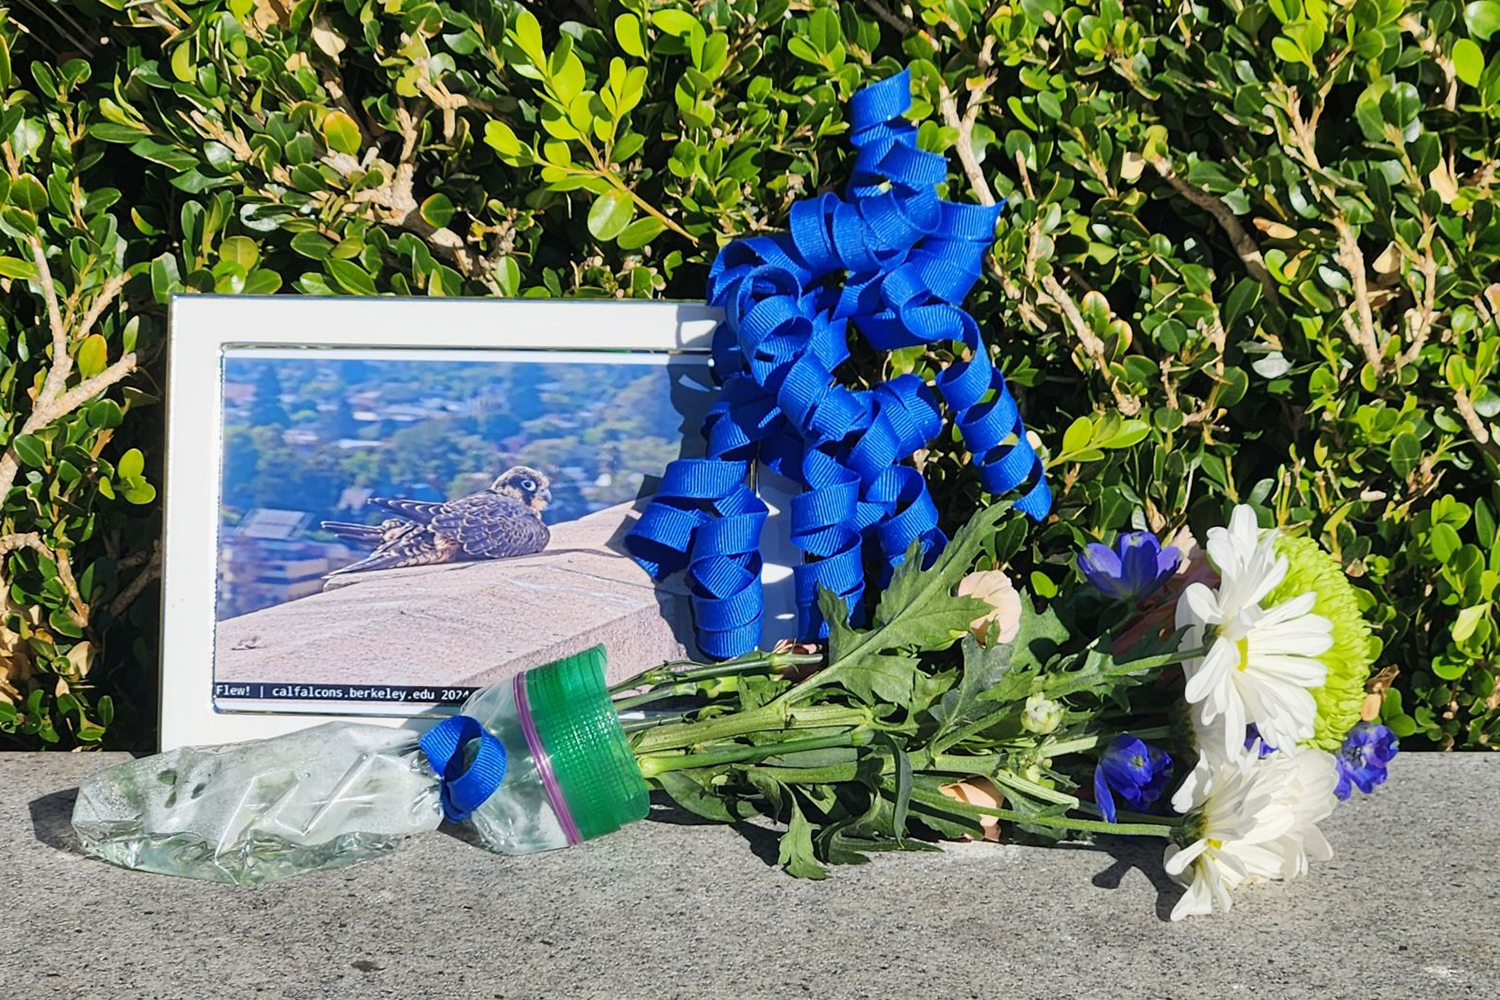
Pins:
x,y
1250,256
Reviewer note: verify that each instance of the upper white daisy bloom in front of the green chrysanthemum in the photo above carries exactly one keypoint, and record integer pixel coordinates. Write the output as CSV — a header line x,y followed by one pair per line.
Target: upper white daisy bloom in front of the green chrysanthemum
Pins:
x,y
1262,663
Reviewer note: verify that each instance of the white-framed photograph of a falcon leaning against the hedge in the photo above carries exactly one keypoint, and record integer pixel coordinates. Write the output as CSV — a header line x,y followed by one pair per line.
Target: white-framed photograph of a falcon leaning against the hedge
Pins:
x,y
376,506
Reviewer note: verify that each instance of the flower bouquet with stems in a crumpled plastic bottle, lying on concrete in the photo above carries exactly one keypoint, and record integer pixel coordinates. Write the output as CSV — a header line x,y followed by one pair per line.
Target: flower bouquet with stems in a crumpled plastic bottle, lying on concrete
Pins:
x,y
1213,701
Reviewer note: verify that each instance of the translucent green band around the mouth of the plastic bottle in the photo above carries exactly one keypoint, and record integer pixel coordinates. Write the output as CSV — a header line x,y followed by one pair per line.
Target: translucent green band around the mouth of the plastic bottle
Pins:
x,y
586,743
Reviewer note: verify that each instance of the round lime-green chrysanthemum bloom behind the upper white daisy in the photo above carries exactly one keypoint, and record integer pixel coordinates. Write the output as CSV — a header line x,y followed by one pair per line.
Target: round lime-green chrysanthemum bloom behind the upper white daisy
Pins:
x,y
1349,657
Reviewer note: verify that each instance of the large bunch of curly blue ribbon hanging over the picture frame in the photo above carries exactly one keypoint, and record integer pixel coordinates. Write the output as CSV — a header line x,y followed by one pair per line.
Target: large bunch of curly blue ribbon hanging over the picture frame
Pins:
x,y
895,262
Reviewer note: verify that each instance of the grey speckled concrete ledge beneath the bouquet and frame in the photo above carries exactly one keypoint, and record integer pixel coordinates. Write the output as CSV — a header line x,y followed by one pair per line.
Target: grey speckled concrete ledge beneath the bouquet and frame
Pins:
x,y
670,911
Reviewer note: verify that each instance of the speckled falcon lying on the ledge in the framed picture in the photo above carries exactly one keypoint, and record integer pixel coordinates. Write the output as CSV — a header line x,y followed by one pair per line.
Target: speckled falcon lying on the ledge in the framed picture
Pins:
x,y
502,522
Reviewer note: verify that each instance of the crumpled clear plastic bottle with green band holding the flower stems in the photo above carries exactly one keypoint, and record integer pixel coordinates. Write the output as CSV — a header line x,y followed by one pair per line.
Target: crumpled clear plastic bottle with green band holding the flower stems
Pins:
x,y
344,792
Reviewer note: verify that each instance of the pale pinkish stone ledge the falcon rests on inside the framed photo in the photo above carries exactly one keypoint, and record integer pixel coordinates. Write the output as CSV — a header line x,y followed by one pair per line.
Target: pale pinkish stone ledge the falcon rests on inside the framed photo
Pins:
x,y
467,624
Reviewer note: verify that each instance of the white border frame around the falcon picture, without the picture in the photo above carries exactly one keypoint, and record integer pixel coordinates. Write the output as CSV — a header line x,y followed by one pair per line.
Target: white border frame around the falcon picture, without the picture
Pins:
x,y
203,329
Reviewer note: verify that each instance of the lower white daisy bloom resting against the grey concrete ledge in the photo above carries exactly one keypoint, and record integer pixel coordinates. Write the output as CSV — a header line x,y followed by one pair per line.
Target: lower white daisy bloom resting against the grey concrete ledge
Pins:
x,y
1259,821
